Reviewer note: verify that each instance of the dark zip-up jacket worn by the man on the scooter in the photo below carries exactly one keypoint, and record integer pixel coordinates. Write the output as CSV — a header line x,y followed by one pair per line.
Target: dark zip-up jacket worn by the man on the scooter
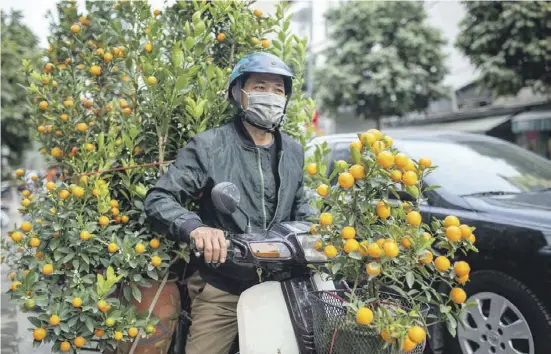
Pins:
x,y
227,154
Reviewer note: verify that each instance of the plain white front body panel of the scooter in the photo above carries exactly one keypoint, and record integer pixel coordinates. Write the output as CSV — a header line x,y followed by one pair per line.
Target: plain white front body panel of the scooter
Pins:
x,y
263,319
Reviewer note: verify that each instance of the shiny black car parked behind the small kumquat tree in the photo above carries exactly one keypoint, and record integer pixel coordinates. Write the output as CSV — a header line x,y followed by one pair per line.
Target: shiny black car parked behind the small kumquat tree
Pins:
x,y
505,192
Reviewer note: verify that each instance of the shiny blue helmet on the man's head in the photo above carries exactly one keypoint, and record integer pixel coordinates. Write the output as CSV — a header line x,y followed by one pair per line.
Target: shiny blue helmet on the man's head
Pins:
x,y
260,62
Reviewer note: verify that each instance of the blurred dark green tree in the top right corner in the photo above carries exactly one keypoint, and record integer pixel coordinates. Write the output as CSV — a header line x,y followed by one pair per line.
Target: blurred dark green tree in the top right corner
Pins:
x,y
509,43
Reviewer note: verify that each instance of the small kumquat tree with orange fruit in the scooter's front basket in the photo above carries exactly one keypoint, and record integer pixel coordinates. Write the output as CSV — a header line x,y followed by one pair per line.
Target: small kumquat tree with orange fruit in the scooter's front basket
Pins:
x,y
385,249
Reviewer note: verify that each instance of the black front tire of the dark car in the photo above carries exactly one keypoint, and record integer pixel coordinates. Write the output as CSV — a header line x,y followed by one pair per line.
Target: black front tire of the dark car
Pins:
x,y
487,287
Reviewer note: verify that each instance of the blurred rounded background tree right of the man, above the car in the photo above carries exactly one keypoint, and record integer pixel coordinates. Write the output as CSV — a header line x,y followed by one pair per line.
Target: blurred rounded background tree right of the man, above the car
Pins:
x,y
384,60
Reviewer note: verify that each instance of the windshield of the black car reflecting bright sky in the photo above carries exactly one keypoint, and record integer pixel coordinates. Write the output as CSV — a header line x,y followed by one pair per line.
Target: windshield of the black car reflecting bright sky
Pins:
x,y
478,166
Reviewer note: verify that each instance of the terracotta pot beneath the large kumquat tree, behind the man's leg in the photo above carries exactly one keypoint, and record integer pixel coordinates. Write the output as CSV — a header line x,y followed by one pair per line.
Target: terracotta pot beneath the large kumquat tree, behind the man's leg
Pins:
x,y
167,310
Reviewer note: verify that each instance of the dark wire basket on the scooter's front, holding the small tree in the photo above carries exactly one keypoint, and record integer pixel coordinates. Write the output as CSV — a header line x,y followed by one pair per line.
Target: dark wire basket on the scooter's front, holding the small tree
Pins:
x,y
334,334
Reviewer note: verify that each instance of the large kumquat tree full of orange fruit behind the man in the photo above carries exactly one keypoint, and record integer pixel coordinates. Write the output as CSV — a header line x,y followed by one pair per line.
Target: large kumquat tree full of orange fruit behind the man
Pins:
x,y
123,88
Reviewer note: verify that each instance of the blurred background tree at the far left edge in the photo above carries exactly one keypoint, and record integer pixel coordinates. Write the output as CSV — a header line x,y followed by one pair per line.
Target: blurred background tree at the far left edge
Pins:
x,y
18,42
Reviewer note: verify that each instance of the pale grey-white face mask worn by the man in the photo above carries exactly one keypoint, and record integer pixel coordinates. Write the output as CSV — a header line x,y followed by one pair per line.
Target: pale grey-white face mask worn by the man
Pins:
x,y
265,110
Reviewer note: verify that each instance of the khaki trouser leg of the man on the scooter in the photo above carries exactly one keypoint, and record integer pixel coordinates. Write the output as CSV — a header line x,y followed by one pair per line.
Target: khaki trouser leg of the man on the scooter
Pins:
x,y
214,318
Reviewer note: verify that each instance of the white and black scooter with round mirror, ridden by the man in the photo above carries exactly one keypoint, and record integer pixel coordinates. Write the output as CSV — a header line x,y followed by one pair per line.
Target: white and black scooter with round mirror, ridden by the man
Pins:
x,y
274,316
